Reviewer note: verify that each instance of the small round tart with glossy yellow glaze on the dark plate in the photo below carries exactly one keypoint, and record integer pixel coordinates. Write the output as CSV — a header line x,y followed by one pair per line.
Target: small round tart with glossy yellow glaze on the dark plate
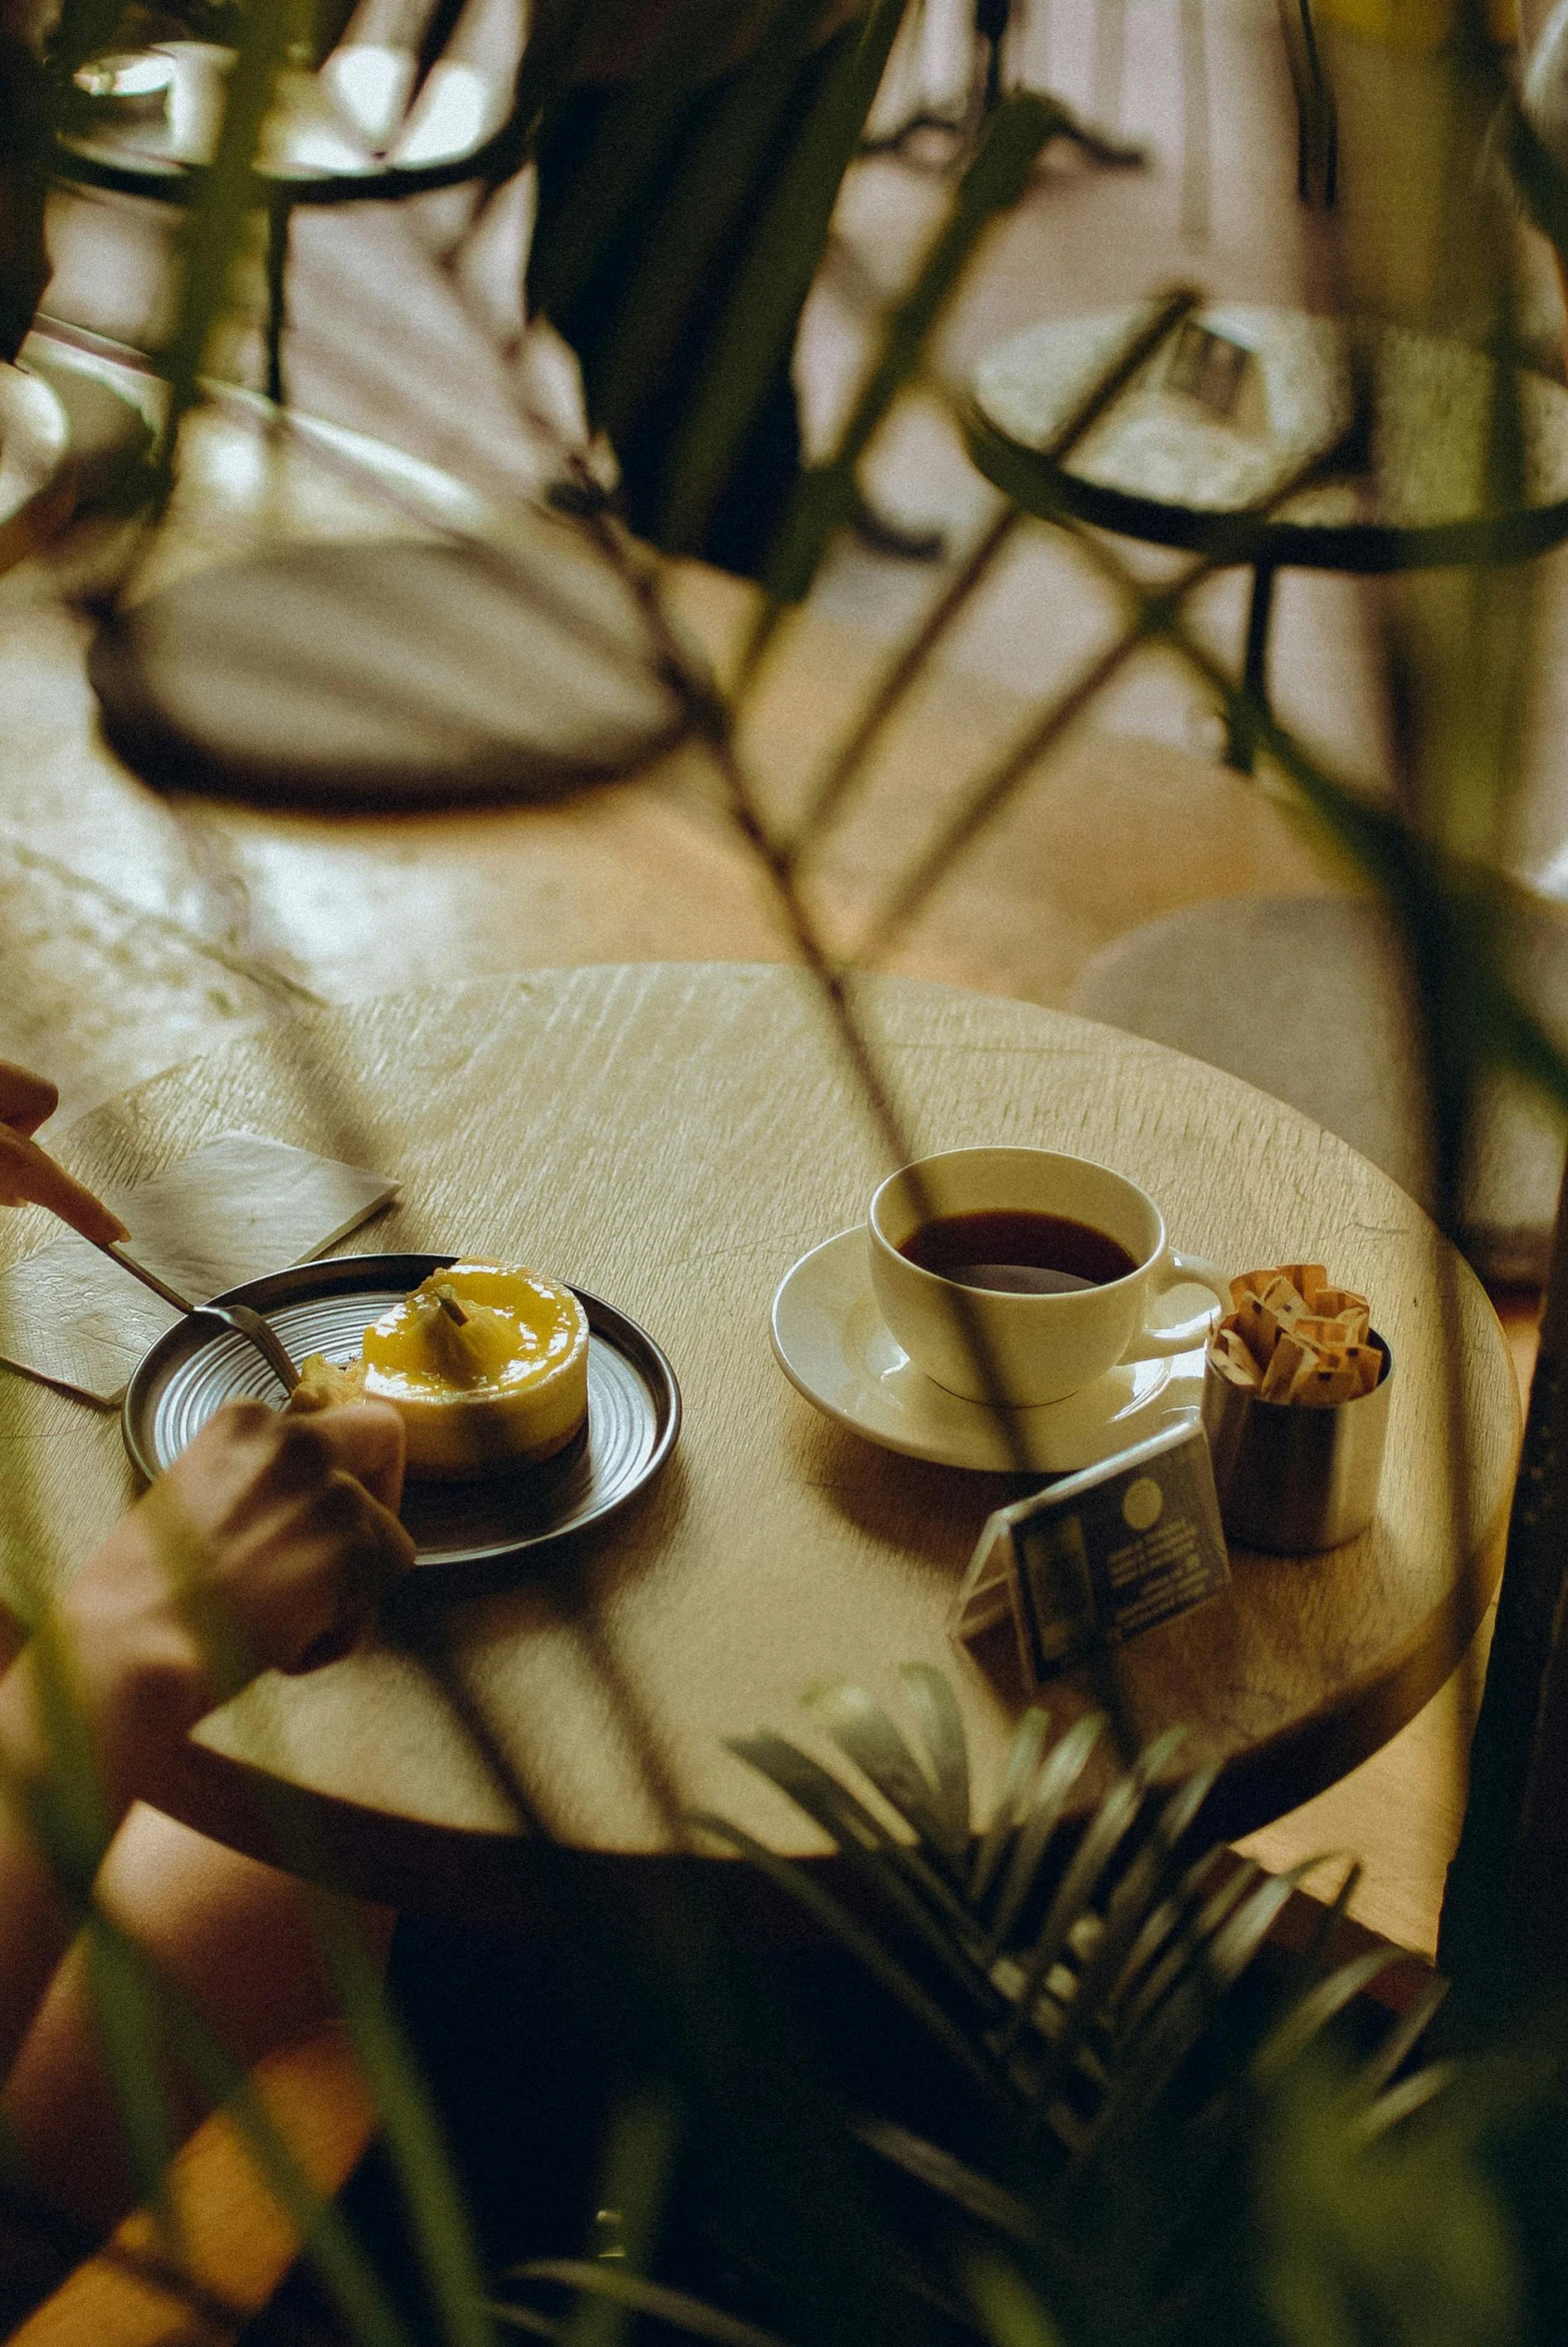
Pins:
x,y
485,1362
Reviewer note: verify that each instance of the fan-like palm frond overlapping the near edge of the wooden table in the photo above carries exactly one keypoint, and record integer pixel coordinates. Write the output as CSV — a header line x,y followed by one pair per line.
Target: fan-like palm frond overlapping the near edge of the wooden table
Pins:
x,y
1072,1966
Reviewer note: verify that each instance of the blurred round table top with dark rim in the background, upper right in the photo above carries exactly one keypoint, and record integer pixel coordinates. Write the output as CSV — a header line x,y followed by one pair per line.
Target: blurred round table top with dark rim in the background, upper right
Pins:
x,y
1163,468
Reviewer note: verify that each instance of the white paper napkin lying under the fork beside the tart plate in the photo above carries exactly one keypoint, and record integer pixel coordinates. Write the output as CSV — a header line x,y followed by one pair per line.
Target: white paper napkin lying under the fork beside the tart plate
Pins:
x,y
236,1210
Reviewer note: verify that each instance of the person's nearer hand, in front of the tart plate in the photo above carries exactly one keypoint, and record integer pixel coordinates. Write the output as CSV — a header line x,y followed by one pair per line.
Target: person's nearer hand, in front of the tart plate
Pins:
x,y
266,1545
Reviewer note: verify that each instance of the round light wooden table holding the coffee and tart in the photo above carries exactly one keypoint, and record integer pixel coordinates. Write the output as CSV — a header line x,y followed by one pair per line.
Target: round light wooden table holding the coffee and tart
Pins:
x,y
675,1137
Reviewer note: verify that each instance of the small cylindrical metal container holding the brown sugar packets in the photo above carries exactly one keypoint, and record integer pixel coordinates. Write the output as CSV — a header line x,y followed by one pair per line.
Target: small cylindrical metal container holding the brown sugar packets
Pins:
x,y
1297,1480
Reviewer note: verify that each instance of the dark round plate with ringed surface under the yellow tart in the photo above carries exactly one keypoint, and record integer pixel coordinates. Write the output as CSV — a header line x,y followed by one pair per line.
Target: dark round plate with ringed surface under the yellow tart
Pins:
x,y
461,1531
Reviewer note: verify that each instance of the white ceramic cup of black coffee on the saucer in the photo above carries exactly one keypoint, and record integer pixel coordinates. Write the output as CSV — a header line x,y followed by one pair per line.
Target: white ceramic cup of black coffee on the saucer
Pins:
x,y
1041,1348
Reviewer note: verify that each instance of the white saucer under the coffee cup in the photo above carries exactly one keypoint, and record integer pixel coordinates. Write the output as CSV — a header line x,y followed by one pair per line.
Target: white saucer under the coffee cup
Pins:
x,y
837,1348
